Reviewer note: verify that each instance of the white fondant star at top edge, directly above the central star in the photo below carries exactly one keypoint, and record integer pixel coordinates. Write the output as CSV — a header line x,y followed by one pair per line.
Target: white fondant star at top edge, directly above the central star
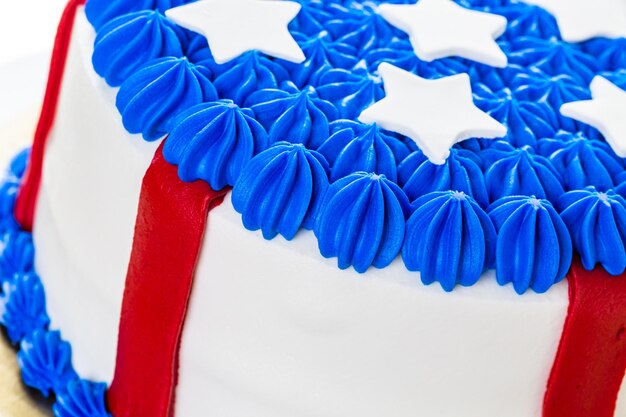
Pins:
x,y
442,28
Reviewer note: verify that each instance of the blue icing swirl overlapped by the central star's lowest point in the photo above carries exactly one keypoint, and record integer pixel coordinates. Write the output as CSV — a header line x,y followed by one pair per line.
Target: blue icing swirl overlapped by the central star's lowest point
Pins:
x,y
418,176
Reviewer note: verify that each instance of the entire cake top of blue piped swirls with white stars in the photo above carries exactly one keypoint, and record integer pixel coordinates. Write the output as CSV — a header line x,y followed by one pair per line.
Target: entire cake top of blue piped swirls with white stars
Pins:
x,y
463,135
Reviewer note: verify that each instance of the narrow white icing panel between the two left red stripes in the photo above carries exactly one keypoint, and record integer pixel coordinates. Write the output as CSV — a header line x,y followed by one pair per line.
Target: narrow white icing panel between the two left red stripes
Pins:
x,y
86,211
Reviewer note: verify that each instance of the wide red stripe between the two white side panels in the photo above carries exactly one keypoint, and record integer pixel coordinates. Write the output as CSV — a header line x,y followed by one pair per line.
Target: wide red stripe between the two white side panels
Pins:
x,y
170,226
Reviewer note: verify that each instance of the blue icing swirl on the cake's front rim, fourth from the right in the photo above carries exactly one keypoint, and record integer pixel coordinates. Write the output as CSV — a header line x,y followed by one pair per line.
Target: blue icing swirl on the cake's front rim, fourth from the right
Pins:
x,y
362,221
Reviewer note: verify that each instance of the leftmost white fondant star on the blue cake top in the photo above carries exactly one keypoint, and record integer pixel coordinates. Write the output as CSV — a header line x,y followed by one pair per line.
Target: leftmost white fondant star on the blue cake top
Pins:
x,y
233,27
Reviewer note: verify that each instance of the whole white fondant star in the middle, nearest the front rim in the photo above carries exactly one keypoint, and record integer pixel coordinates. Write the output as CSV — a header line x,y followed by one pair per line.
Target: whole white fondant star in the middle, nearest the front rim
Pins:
x,y
436,114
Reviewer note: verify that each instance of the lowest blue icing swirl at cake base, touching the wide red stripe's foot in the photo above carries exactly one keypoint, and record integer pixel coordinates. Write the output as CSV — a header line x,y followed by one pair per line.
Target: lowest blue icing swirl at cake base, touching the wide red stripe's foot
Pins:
x,y
82,399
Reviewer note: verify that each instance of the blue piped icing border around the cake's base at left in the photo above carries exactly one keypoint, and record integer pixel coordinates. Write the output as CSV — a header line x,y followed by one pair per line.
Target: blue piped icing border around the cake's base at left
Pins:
x,y
43,356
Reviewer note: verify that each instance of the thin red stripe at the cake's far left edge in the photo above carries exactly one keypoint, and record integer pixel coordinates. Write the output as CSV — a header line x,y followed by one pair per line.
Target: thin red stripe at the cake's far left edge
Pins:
x,y
27,197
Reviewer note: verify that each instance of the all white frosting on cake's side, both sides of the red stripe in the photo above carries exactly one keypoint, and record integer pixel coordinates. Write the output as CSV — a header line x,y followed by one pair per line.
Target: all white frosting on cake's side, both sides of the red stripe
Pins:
x,y
273,328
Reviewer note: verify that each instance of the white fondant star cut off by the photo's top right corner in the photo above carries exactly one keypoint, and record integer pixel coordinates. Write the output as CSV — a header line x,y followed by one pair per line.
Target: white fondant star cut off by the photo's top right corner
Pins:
x,y
580,20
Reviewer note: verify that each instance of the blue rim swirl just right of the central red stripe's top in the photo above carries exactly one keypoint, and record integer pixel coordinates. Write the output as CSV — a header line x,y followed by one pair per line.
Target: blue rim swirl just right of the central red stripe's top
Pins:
x,y
281,190
